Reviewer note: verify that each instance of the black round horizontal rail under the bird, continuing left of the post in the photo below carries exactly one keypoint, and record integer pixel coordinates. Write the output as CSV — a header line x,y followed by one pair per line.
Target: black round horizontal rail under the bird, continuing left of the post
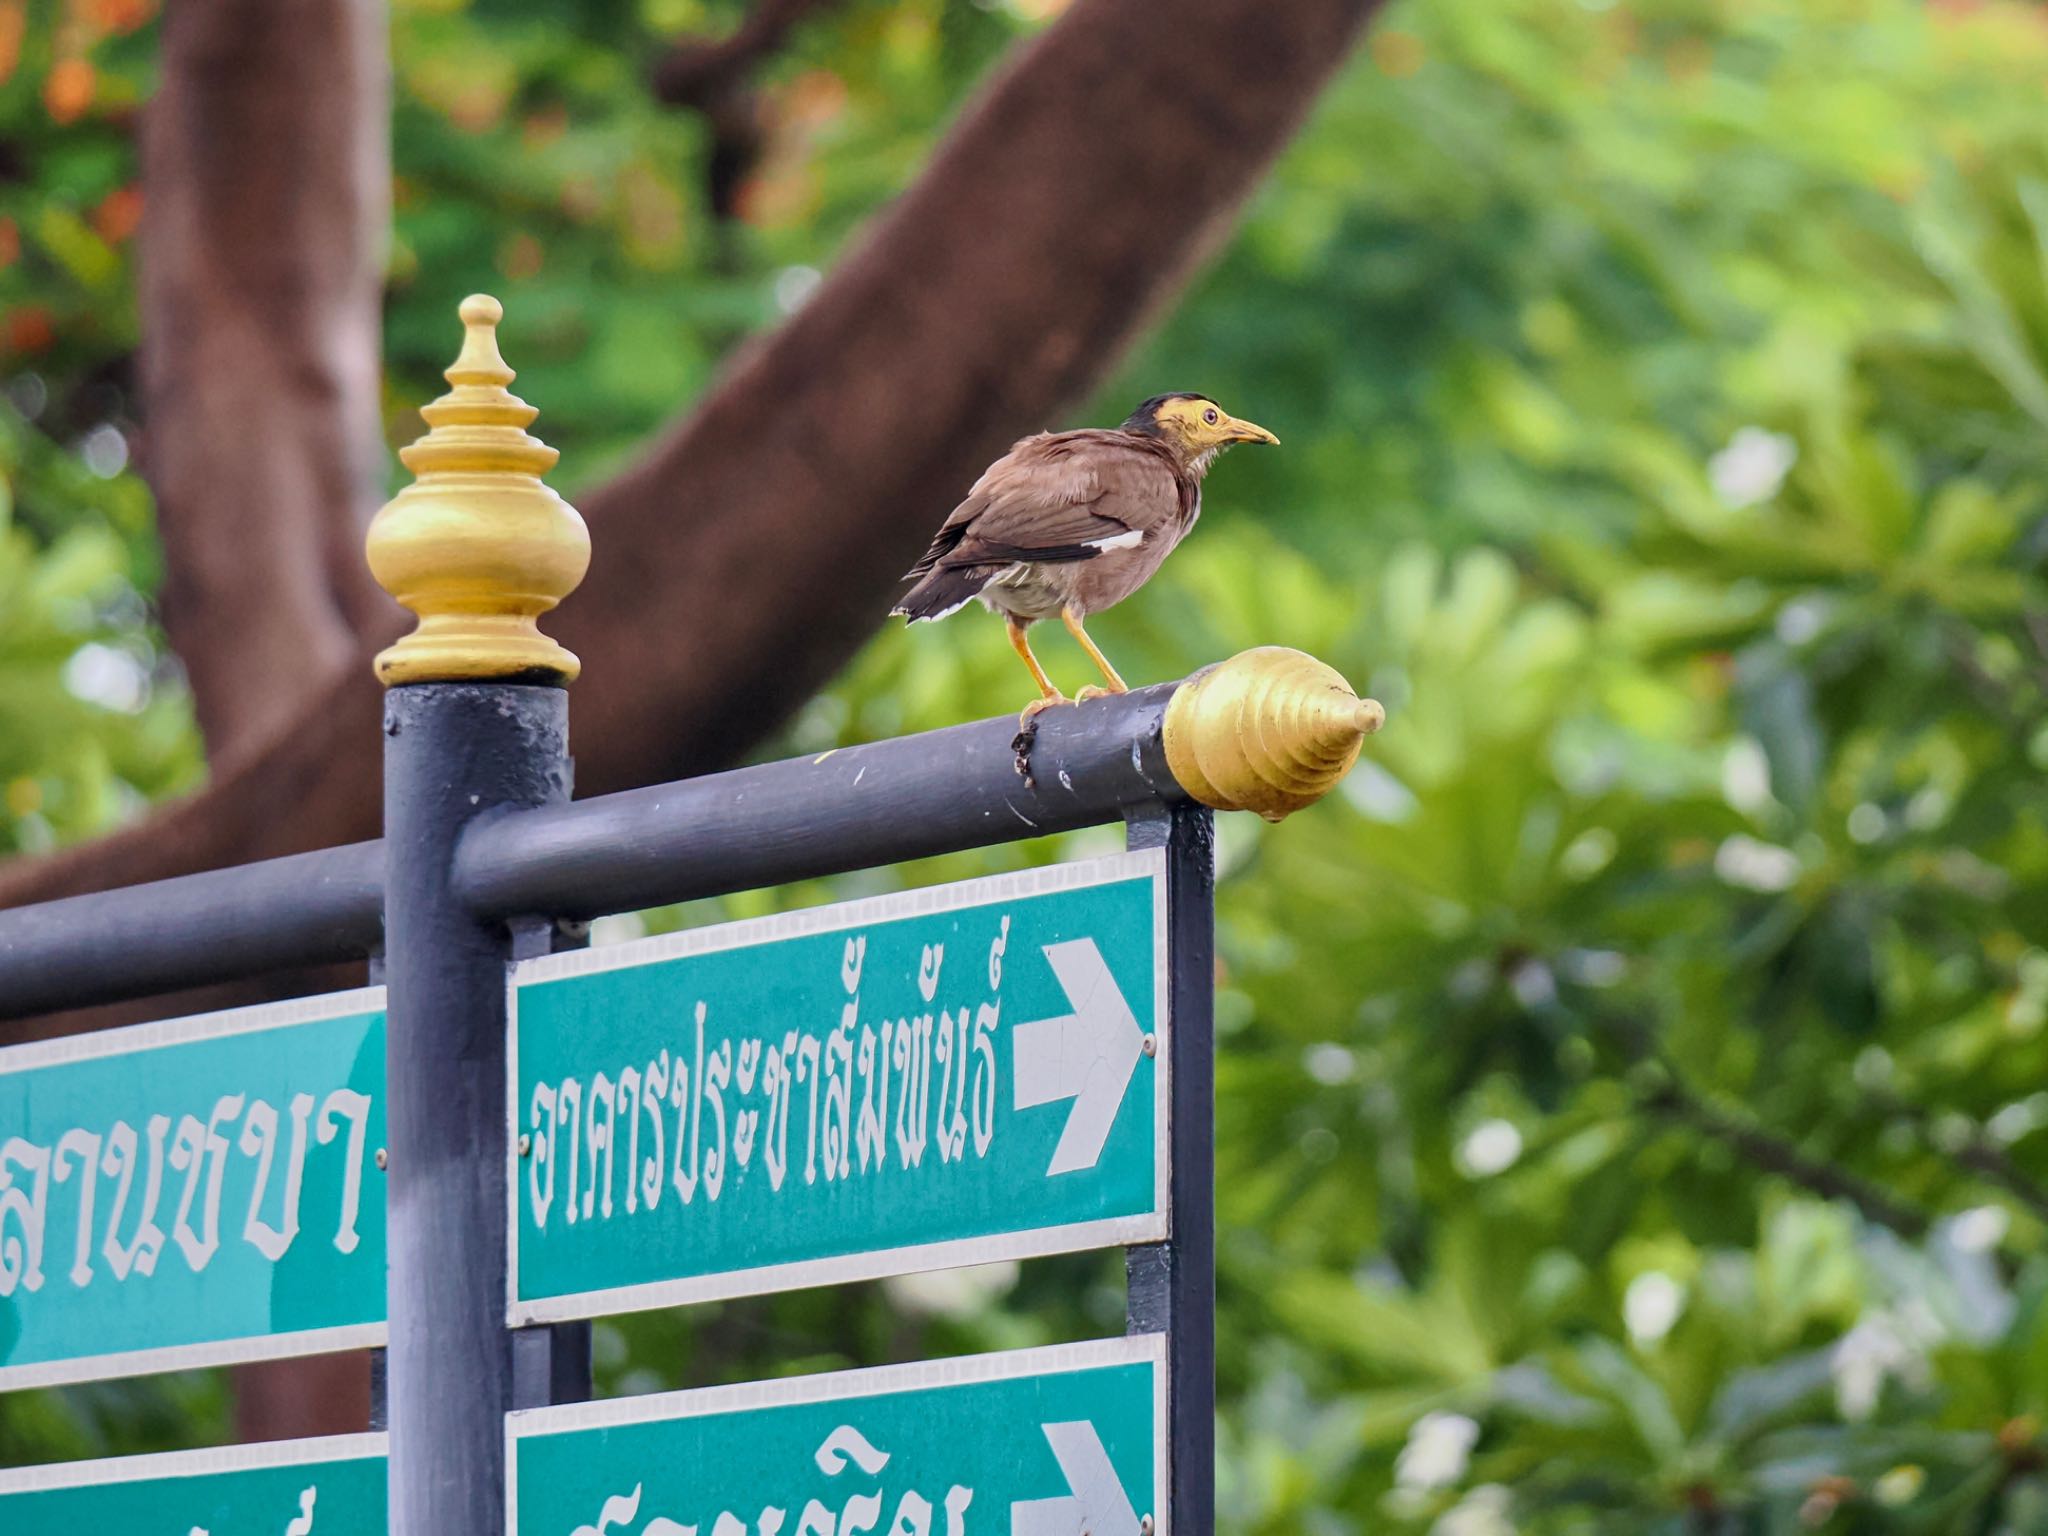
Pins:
x,y
878,804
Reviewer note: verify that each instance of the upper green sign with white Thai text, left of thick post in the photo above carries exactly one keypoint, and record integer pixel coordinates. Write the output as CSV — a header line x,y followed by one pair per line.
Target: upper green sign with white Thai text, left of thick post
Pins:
x,y
194,1193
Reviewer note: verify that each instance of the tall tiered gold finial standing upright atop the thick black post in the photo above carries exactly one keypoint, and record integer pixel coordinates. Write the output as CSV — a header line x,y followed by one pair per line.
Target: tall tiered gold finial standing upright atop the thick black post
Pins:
x,y
478,546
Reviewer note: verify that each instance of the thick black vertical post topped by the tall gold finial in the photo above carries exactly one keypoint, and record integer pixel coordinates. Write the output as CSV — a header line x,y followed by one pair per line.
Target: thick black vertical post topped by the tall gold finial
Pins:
x,y
454,753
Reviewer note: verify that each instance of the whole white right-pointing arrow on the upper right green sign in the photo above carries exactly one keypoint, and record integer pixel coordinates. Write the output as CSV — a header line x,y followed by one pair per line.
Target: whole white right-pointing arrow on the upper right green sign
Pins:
x,y
1086,1056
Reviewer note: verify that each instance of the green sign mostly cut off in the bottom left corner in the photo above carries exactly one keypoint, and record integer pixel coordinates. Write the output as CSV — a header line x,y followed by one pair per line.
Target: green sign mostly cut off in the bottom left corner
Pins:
x,y
288,1488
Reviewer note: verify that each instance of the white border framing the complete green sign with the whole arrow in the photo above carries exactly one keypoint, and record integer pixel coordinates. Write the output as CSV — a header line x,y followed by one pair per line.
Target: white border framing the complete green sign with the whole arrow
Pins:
x,y
869,1265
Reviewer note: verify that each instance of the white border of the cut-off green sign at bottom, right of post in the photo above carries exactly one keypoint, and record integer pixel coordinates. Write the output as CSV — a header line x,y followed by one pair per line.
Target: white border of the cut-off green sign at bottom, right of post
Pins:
x,y
853,1385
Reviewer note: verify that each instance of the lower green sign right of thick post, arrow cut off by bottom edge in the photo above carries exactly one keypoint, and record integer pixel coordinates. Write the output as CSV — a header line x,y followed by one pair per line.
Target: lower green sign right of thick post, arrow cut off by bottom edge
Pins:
x,y
1041,1443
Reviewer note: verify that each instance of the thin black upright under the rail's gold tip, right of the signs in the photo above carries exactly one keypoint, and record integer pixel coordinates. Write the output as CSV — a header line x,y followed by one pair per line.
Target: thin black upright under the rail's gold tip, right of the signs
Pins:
x,y
1175,1283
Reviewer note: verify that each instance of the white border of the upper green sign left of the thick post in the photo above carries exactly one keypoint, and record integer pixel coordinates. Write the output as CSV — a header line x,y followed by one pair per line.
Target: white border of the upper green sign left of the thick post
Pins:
x,y
189,1029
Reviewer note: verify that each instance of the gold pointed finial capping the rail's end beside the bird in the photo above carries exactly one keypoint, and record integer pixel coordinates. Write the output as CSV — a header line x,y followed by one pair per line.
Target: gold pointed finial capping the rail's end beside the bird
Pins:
x,y
1271,732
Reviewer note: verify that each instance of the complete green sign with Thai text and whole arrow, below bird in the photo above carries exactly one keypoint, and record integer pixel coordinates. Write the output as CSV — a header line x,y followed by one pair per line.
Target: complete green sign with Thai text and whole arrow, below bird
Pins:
x,y
937,1078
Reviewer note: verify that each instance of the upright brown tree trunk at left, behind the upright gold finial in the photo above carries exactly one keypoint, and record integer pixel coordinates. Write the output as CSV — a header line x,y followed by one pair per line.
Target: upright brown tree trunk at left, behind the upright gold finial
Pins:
x,y
267,171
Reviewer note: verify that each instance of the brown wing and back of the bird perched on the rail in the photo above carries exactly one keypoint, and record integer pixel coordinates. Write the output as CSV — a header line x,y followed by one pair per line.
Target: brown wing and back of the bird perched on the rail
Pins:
x,y
1060,497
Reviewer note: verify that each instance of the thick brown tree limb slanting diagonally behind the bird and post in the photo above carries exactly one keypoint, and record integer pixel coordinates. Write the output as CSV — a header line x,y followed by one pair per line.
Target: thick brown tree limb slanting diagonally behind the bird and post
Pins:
x,y
753,550
